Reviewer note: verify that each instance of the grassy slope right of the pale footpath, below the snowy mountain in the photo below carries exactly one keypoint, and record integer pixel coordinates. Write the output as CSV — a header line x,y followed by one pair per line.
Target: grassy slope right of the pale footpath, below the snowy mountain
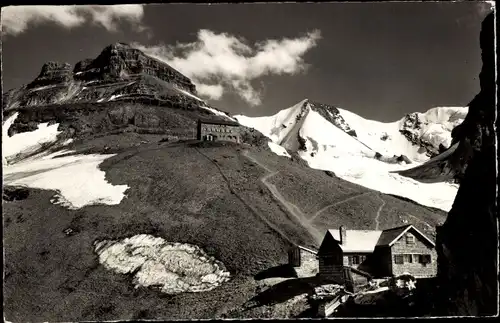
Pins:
x,y
312,190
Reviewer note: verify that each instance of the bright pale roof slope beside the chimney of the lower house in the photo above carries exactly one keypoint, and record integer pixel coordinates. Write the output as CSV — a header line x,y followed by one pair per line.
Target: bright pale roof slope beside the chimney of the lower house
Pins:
x,y
358,240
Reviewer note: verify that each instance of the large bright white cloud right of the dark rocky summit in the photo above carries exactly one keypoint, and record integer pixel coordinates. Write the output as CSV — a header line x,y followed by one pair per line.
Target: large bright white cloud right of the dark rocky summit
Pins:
x,y
220,62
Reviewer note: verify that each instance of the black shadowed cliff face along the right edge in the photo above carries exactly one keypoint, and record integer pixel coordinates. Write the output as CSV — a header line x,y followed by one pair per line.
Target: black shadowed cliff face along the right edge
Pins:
x,y
467,242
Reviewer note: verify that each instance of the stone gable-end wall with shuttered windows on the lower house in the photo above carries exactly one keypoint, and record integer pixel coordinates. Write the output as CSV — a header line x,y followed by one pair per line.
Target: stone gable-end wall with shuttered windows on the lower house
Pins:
x,y
415,268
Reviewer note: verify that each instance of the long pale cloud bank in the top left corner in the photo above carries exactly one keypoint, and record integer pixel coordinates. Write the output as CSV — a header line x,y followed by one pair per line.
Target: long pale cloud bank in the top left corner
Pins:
x,y
16,19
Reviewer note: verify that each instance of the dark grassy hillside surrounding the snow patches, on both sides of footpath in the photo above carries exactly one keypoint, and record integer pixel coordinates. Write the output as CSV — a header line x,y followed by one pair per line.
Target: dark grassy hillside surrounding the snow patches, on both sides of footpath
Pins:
x,y
209,196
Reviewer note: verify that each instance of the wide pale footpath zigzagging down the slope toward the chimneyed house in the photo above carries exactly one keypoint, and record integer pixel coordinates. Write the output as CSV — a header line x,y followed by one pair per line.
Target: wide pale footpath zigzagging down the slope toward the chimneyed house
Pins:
x,y
290,207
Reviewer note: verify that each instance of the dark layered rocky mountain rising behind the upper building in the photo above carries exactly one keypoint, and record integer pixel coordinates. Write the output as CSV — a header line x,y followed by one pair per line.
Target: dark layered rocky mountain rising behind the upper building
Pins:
x,y
122,90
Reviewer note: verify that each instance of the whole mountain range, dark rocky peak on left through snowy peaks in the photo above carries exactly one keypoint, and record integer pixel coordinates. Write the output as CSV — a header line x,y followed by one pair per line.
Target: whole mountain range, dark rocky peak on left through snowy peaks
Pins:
x,y
122,88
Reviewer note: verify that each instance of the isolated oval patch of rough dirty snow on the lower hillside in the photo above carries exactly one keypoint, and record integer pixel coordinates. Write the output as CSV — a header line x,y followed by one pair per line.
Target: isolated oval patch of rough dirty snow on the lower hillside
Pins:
x,y
173,267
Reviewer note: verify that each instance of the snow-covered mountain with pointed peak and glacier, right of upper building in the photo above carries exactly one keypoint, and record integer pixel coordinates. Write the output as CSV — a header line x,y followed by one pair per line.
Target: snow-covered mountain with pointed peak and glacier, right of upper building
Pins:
x,y
366,152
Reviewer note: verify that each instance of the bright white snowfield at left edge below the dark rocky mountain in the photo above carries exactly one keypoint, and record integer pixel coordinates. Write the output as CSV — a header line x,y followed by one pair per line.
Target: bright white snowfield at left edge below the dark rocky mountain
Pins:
x,y
77,179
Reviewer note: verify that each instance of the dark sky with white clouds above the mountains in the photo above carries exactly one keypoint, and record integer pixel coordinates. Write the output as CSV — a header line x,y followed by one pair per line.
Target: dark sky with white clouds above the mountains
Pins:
x,y
380,60
